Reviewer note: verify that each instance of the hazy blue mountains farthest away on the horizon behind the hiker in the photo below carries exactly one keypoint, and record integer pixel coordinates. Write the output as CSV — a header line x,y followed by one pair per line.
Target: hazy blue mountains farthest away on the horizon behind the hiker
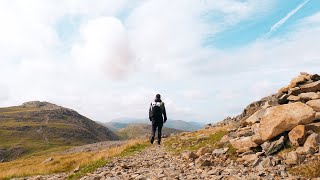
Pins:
x,y
175,124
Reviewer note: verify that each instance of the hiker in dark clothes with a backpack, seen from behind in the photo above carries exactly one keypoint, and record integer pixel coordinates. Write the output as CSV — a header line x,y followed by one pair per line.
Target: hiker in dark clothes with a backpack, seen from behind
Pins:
x,y
156,111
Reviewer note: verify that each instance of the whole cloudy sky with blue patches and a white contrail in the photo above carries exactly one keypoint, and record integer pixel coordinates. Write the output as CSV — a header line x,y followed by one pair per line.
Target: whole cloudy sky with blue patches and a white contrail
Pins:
x,y
108,59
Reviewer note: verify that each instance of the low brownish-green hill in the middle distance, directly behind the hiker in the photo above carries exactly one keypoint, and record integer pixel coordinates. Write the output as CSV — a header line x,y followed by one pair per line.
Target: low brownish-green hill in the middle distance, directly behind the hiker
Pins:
x,y
141,130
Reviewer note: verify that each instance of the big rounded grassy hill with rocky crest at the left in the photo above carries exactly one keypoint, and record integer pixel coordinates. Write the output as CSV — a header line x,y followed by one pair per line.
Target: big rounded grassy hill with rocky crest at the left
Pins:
x,y
37,126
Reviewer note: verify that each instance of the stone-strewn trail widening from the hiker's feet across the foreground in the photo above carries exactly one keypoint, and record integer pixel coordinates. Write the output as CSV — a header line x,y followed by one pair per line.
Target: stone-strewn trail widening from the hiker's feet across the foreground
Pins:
x,y
157,163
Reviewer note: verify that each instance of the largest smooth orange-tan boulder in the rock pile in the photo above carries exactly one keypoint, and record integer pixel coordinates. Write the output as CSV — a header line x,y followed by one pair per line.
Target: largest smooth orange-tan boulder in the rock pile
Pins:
x,y
282,118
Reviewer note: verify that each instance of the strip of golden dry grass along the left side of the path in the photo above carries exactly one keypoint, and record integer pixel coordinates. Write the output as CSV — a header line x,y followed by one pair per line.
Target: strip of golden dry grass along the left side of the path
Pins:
x,y
87,161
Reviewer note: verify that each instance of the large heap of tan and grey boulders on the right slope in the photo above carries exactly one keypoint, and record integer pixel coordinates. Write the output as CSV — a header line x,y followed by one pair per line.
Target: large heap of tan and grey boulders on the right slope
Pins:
x,y
289,118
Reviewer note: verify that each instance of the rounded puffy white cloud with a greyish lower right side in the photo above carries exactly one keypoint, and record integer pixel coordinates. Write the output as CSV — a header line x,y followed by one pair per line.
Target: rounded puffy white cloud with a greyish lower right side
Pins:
x,y
104,46
